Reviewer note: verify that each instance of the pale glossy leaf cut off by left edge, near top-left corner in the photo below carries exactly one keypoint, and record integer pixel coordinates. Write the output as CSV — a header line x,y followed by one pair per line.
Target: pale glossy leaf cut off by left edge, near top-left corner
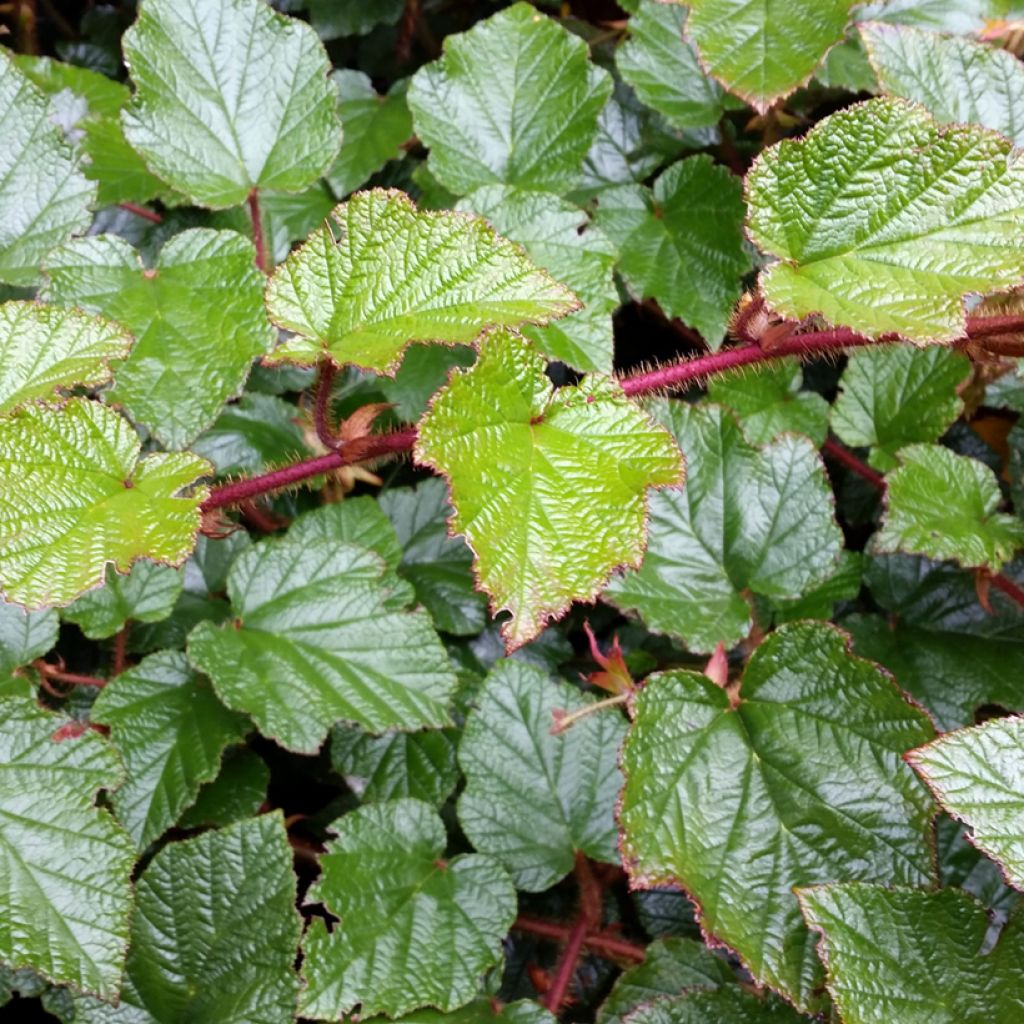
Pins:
x,y
45,197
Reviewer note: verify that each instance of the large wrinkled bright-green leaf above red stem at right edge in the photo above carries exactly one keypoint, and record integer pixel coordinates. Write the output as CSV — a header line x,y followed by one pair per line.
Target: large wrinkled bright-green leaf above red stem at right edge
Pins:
x,y
883,222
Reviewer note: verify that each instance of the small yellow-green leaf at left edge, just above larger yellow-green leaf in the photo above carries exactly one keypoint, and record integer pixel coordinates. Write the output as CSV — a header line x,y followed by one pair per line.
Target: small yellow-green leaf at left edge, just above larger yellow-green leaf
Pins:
x,y
44,349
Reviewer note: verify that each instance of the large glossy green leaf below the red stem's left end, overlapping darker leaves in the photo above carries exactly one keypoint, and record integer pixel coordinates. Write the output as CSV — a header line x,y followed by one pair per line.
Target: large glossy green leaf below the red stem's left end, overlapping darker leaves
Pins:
x,y
327,617
